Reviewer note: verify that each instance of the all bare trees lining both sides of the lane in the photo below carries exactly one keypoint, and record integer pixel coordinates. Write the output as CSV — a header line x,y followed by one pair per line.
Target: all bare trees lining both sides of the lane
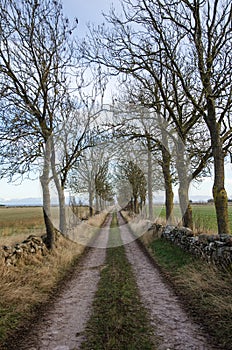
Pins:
x,y
173,60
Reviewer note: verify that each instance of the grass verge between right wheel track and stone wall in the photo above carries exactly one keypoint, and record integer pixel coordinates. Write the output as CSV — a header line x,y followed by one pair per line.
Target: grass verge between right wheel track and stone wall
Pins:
x,y
205,290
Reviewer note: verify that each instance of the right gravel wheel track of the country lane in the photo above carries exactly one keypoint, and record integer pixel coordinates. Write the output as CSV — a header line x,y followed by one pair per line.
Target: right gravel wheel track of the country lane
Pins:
x,y
172,325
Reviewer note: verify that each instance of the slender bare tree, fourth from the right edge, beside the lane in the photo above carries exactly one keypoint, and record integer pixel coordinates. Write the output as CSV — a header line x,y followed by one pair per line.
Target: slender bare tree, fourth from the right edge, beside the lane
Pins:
x,y
133,122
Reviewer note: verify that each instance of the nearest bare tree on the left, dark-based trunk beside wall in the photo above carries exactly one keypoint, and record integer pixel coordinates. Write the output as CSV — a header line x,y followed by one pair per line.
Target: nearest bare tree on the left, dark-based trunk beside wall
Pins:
x,y
34,55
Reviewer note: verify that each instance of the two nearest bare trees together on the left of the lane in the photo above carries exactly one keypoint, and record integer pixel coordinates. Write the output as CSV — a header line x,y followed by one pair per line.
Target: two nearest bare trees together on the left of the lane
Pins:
x,y
44,107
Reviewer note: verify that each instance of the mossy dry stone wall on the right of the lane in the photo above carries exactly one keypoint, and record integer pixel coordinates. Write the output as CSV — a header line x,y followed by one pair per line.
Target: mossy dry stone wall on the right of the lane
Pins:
x,y
216,249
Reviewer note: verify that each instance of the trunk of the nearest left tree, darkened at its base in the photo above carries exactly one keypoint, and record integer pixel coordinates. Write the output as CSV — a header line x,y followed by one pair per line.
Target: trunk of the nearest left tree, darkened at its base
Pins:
x,y
44,180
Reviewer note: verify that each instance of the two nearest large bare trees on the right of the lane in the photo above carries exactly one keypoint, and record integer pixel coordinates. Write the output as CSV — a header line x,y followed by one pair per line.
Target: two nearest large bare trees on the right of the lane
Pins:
x,y
179,55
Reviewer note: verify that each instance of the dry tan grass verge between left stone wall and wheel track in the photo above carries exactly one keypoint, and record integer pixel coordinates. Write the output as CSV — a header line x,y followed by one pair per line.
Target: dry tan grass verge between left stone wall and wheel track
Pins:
x,y
25,288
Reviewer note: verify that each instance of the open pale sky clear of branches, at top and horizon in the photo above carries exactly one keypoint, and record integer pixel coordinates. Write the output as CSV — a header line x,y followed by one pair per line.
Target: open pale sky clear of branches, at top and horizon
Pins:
x,y
90,11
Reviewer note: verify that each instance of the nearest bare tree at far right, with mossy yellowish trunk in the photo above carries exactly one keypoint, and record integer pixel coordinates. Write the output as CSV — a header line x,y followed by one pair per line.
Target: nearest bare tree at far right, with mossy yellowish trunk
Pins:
x,y
198,42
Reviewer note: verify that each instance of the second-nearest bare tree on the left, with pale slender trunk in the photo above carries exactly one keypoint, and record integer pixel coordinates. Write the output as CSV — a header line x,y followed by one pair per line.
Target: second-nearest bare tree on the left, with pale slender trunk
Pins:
x,y
77,131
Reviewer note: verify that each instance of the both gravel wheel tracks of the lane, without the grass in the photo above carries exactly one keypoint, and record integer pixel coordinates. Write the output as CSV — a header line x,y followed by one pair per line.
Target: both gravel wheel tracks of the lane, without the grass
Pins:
x,y
62,326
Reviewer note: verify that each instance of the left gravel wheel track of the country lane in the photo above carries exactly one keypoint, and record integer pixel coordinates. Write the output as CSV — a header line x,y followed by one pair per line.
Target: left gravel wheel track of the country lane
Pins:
x,y
62,327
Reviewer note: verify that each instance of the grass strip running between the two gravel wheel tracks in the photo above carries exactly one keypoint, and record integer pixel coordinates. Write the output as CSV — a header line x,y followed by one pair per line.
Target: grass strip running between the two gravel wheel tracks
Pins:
x,y
119,320
